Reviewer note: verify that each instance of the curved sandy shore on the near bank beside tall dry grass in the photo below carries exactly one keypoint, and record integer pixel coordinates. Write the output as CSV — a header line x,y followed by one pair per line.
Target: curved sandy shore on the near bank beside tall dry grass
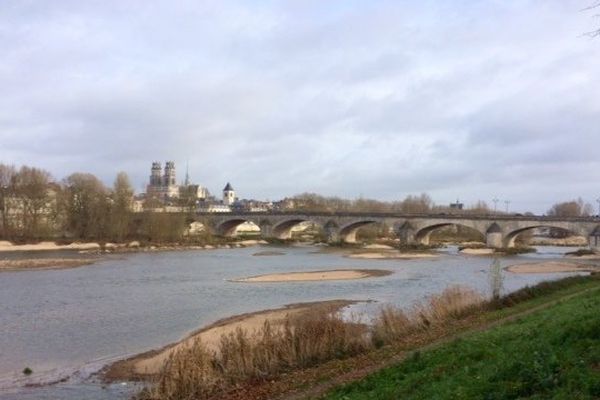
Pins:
x,y
147,364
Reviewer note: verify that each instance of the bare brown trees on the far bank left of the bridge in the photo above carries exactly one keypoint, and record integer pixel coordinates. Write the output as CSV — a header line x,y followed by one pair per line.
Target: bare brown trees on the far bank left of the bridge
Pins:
x,y
33,206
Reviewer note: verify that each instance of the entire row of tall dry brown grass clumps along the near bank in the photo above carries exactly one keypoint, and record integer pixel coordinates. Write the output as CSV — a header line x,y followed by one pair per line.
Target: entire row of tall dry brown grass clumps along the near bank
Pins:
x,y
194,372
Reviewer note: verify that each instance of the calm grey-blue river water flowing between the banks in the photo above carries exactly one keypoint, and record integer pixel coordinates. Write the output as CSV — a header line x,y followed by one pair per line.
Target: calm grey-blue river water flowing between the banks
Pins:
x,y
66,324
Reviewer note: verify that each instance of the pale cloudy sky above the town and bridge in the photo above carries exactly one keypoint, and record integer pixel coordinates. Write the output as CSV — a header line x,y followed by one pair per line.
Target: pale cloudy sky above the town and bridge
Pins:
x,y
469,100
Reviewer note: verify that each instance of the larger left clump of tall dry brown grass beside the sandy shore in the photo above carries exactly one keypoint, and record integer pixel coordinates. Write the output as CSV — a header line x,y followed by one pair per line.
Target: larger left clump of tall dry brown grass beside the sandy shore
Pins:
x,y
301,341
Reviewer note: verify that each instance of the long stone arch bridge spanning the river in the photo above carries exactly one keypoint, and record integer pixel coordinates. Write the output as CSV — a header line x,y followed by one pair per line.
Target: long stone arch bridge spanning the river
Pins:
x,y
499,230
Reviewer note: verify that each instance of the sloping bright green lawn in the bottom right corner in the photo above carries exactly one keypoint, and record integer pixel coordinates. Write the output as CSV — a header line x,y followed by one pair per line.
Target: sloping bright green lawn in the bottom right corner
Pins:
x,y
550,354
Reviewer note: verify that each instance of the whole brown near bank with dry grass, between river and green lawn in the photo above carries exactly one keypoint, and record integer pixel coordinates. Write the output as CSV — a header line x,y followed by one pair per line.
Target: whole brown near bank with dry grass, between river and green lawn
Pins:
x,y
322,349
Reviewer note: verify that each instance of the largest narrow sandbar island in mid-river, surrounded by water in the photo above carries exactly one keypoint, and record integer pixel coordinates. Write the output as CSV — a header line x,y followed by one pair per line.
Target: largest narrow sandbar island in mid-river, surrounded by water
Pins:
x,y
330,275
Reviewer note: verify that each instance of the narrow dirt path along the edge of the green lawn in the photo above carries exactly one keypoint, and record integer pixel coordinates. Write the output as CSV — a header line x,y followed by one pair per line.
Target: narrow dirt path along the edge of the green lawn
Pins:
x,y
320,389
